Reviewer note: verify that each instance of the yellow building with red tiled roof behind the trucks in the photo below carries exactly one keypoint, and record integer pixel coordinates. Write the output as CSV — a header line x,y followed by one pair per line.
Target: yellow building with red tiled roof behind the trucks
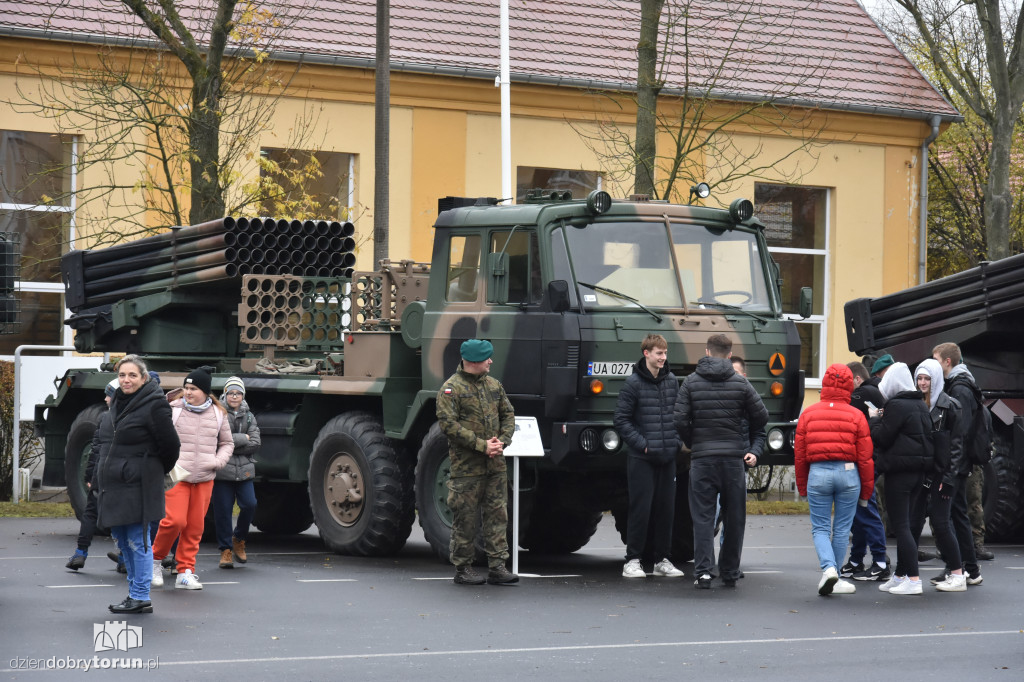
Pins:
x,y
840,124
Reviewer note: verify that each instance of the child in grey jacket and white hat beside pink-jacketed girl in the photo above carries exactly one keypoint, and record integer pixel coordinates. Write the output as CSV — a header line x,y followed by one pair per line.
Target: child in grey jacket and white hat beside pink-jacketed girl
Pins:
x,y
235,482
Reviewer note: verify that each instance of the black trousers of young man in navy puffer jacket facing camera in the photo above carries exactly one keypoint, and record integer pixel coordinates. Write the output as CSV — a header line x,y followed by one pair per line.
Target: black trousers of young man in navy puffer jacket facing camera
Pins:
x,y
653,504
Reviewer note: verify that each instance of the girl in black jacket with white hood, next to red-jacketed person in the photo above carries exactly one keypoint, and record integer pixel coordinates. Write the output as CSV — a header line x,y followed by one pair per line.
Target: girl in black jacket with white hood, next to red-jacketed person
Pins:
x,y
904,452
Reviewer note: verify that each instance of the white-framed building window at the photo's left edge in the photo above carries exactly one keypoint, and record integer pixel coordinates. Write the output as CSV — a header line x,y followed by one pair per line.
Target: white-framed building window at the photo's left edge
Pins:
x,y
37,204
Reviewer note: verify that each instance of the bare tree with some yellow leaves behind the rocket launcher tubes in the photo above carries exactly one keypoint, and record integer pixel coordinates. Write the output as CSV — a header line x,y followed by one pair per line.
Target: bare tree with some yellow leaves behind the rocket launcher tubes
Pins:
x,y
167,122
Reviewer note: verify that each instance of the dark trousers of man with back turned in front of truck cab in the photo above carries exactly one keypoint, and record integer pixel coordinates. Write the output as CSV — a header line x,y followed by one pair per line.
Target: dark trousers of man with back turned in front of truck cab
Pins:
x,y
710,478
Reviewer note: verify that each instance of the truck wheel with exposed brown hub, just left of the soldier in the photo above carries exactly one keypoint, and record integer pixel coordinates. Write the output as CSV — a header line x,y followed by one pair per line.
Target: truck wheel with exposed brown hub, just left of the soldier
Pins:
x,y
361,488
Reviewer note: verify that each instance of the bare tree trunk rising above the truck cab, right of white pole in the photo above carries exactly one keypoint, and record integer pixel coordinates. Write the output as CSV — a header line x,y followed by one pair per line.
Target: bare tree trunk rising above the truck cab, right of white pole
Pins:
x,y
648,90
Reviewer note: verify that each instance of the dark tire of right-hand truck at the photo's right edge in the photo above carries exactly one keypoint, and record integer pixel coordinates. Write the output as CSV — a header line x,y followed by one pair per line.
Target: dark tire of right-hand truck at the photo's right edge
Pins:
x,y
1004,498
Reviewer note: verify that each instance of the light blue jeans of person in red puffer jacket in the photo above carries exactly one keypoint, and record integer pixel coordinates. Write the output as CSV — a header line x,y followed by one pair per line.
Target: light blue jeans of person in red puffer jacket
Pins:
x,y
832,485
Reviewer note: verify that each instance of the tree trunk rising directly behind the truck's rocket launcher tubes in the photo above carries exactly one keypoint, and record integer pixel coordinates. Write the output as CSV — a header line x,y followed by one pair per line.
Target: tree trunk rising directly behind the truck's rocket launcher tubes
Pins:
x,y
204,149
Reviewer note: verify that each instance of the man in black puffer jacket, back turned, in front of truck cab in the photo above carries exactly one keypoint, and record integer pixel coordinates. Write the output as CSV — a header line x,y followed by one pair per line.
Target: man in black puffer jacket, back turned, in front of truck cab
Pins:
x,y
711,408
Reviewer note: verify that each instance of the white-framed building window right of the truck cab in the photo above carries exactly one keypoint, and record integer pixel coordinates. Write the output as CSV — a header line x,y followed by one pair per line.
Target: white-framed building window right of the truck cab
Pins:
x,y
797,230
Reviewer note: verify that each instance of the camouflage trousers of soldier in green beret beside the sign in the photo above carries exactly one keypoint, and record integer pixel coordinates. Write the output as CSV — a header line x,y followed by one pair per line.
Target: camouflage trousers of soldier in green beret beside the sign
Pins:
x,y
480,502
